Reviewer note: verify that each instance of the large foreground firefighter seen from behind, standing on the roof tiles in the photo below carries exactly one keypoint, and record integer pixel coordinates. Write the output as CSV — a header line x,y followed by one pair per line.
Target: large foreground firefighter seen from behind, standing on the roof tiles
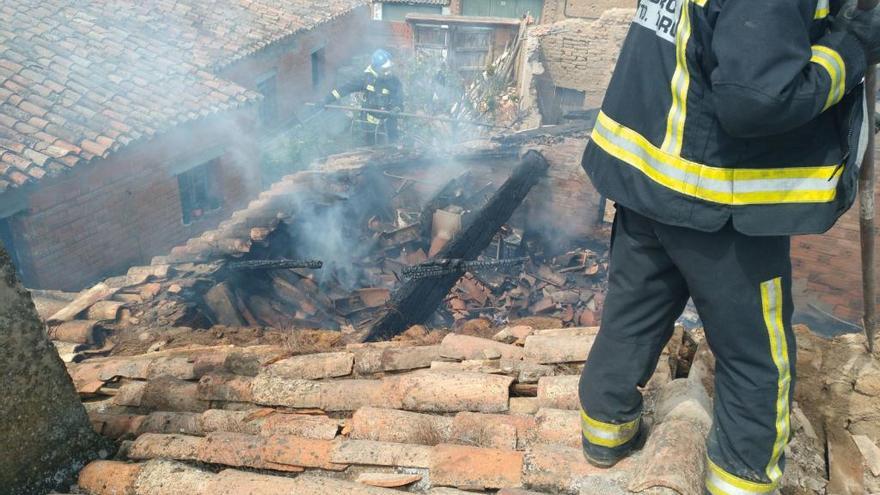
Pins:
x,y
728,126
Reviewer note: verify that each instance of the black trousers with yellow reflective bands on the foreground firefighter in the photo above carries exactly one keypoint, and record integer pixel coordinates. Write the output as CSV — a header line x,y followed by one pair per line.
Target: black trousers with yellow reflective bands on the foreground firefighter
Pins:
x,y
741,286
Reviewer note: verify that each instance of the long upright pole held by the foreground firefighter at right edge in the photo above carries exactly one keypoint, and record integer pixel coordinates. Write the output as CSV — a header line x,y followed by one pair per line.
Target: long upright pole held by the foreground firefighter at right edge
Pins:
x,y
867,229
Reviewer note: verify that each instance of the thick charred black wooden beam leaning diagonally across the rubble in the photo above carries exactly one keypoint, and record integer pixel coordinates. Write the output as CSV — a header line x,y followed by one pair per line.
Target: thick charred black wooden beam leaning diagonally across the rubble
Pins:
x,y
416,300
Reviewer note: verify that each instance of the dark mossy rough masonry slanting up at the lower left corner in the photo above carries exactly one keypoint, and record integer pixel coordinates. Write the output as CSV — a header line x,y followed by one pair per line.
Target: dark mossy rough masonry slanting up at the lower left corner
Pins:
x,y
45,434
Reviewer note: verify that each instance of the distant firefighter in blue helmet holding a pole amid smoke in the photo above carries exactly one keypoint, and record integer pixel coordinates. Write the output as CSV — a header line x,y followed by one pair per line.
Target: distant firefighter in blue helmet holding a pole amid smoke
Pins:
x,y
382,91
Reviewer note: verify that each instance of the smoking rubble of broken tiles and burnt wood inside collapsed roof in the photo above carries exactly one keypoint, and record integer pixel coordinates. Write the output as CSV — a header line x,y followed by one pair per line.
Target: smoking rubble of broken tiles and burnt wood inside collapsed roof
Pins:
x,y
370,217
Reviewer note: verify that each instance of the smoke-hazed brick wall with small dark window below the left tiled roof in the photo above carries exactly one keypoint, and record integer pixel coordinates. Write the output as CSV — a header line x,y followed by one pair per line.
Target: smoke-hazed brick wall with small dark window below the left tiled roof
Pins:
x,y
105,216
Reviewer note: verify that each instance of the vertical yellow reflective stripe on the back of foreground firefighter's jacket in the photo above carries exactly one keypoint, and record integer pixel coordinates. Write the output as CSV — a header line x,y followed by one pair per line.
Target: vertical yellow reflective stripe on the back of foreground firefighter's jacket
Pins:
x,y
681,81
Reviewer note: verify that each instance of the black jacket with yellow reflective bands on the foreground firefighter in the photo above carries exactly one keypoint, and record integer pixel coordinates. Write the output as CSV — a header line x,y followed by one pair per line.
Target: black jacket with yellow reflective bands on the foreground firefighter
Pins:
x,y
742,110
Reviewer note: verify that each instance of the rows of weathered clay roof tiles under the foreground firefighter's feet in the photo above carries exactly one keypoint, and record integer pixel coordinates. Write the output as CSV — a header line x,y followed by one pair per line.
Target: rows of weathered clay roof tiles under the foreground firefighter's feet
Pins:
x,y
430,431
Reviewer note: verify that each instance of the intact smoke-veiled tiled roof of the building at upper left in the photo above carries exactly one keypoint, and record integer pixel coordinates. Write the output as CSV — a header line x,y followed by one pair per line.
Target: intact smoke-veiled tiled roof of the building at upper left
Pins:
x,y
64,66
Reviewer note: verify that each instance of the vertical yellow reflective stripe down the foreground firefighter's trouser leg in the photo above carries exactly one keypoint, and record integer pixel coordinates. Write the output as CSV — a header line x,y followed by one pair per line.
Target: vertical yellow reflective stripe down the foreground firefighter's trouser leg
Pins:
x,y
771,304
